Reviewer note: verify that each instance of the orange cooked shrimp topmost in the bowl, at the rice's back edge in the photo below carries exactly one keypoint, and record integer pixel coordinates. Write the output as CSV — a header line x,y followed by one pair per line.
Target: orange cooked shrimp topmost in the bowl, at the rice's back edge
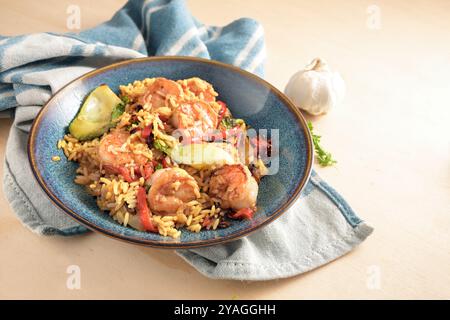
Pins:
x,y
159,91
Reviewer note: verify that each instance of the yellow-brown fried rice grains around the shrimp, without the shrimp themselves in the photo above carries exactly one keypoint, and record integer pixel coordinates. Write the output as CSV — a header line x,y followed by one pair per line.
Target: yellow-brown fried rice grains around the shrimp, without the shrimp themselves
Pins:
x,y
117,195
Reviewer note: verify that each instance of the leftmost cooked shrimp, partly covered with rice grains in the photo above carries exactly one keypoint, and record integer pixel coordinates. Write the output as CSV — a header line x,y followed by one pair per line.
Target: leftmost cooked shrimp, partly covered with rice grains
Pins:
x,y
113,150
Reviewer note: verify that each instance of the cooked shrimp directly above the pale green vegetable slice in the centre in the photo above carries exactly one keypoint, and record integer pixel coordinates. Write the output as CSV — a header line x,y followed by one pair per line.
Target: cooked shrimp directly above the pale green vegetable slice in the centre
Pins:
x,y
197,117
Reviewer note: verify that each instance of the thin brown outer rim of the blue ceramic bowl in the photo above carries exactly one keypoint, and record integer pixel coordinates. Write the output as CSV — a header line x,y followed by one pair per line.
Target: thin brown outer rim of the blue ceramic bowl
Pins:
x,y
155,243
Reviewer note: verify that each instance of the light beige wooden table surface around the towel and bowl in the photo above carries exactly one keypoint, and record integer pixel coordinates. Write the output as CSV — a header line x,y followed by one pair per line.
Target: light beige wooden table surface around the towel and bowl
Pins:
x,y
391,137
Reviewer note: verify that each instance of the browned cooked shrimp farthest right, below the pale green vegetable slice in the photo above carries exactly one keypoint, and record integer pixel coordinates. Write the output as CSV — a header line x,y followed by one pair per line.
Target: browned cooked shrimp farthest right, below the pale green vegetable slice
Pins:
x,y
234,186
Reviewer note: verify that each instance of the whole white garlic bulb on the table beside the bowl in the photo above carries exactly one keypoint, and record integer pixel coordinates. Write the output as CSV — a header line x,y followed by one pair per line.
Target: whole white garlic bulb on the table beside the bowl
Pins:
x,y
316,89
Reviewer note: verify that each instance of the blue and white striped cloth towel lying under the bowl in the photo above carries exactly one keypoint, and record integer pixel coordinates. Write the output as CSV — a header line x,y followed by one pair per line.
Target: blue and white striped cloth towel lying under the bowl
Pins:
x,y
33,67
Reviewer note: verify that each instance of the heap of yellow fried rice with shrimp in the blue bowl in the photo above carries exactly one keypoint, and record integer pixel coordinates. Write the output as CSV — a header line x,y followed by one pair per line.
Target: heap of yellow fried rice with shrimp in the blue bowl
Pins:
x,y
132,155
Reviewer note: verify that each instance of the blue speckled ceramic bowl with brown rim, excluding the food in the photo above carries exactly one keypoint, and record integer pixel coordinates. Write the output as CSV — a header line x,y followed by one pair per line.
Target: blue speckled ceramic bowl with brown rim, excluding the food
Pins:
x,y
247,96
